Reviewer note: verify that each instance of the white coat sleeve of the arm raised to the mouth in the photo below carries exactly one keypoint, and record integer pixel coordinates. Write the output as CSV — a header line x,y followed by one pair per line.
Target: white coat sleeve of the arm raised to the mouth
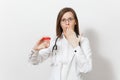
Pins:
x,y
83,57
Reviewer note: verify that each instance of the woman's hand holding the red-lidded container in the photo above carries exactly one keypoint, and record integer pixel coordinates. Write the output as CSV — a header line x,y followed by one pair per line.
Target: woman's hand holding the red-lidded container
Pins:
x,y
41,44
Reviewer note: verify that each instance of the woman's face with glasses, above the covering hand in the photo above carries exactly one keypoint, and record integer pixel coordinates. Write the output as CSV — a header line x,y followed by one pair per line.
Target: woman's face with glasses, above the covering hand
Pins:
x,y
67,21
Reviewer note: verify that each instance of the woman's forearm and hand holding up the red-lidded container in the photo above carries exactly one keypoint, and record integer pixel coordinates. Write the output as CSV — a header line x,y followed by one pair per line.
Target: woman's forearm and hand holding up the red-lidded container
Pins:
x,y
40,52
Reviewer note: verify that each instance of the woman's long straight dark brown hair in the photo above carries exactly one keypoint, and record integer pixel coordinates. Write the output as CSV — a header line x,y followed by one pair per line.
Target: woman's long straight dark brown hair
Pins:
x,y
58,25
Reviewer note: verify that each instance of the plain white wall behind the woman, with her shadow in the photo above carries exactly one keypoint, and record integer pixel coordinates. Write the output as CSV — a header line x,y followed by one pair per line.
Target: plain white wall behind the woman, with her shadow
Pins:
x,y
23,22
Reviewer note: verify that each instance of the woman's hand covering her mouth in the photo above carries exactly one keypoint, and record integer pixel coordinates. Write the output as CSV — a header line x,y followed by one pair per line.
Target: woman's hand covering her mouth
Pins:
x,y
71,37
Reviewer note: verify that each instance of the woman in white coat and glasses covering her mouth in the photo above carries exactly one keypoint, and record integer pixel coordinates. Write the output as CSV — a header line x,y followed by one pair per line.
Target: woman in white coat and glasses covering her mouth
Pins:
x,y
69,51
